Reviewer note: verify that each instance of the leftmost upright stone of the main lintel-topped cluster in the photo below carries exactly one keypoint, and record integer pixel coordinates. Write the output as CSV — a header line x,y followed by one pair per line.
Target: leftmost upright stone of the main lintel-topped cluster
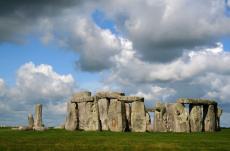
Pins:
x,y
72,117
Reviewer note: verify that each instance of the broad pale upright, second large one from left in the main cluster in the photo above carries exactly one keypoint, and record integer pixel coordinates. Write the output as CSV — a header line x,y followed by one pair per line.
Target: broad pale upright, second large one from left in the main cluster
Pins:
x,y
92,117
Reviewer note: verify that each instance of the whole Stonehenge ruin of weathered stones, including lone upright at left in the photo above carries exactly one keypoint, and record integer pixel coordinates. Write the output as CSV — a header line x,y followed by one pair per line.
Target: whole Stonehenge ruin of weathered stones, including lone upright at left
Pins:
x,y
113,111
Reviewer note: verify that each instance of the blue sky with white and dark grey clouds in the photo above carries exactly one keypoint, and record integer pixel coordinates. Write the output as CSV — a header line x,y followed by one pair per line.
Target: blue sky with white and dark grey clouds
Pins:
x,y
159,49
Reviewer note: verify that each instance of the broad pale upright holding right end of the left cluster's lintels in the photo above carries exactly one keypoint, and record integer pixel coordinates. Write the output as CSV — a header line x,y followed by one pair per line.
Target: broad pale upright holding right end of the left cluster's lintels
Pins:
x,y
138,119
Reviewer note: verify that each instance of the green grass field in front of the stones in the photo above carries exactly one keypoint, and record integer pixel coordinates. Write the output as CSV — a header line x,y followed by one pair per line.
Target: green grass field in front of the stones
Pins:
x,y
55,140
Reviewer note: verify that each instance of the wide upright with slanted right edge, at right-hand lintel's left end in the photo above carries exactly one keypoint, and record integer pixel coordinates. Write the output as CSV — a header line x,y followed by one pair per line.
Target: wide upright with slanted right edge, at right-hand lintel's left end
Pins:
x,y
181,117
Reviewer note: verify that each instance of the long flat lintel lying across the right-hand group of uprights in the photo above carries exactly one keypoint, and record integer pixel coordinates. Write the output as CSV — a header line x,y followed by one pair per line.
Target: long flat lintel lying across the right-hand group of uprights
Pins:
x,y
196,101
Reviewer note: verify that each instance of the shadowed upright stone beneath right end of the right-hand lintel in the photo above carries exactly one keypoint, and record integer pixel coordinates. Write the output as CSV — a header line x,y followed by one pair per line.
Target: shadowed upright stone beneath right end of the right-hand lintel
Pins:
x,y
209,118
